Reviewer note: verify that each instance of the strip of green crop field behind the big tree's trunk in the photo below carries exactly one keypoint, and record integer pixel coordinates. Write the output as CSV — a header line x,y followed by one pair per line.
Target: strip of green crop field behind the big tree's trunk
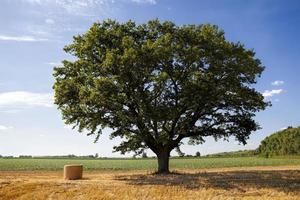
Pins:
x,y
143,164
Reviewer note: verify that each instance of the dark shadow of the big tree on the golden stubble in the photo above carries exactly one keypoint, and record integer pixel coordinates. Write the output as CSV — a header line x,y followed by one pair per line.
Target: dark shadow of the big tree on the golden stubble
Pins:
x,y
285,180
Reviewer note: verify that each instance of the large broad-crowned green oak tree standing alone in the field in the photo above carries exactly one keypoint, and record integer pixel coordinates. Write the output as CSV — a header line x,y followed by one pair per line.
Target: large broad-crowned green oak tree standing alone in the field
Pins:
x,y
157,83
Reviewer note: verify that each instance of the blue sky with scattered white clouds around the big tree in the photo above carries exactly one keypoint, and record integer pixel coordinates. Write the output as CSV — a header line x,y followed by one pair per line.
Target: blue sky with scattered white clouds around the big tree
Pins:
x,y
33,33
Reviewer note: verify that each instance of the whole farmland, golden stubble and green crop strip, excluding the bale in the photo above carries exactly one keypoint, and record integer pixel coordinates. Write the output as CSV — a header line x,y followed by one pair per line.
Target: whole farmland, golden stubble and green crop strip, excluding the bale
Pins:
x,y
193,178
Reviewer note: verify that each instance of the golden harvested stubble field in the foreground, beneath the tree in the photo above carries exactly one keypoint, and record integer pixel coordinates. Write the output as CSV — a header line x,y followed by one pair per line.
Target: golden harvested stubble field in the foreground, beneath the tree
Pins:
x,y
226,183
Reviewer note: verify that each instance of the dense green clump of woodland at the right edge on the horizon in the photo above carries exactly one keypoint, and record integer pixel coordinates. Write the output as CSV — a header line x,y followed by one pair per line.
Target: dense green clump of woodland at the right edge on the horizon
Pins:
x,y
285,142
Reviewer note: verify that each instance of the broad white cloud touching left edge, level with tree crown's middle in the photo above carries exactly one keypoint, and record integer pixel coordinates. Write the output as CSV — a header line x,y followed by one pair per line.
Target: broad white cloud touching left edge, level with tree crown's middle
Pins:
x,y
22,99
